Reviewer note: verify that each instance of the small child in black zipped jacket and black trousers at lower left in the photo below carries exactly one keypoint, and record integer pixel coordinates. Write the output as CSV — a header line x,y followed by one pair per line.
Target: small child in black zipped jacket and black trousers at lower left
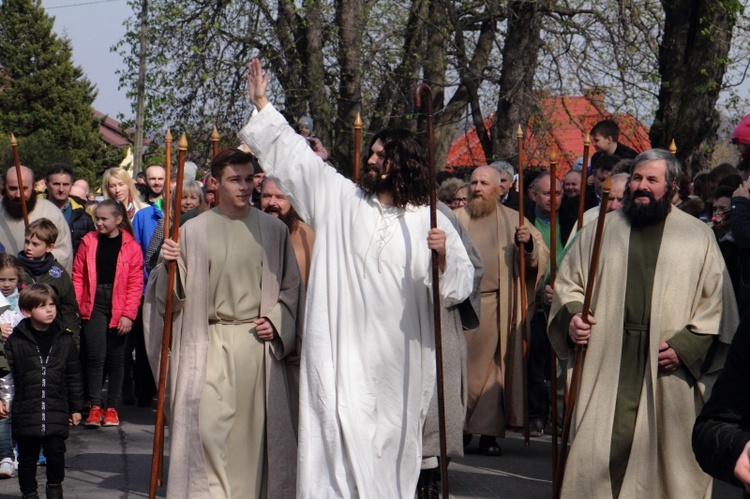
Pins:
x,y
48,389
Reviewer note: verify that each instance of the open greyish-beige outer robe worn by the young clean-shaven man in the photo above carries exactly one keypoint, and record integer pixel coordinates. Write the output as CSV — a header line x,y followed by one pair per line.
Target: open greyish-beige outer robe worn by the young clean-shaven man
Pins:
x,y
188,356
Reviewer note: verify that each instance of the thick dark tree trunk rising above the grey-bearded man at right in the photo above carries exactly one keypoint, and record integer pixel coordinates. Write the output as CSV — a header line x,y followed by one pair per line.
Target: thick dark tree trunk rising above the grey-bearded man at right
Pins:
x,y
692,61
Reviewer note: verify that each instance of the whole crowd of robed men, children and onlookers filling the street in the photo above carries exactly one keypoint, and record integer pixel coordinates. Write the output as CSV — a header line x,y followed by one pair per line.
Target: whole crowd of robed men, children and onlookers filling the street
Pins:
x,y
303,355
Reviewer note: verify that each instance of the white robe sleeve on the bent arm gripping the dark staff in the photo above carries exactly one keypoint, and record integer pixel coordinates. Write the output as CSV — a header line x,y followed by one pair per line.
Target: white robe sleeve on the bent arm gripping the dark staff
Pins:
x,y
457,281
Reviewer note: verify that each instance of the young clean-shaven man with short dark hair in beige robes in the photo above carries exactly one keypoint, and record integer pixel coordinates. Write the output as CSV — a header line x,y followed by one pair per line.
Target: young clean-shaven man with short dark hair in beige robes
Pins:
x,y
232,432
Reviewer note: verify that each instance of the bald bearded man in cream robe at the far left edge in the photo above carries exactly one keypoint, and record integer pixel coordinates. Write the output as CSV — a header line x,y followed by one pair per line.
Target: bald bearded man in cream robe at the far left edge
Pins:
x,y
12,228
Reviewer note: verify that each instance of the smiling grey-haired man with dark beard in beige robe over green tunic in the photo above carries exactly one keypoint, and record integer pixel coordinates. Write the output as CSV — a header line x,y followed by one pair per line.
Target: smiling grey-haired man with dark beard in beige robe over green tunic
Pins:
x,y
661,318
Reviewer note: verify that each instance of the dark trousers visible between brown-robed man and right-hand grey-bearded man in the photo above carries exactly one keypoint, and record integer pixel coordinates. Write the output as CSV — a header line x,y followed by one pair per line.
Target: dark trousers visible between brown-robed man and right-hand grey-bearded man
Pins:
x,y
538,368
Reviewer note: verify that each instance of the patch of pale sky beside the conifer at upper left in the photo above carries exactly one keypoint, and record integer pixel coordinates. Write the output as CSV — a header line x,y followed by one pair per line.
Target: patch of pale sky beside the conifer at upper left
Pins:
x,y
93,27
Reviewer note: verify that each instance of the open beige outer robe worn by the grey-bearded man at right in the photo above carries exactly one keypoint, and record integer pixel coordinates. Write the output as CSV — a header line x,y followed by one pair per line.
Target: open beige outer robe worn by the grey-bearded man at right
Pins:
x,y
690,291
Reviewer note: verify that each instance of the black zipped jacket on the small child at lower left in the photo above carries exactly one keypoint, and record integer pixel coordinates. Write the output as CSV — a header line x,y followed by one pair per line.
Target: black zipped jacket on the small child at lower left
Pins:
x,y
47,391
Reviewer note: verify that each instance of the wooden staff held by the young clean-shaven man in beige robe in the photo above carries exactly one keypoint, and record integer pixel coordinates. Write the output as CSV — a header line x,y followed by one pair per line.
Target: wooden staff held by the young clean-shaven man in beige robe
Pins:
x,y
167,331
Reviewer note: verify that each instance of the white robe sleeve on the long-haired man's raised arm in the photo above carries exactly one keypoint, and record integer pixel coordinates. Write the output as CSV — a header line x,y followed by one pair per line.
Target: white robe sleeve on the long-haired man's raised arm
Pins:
x,y
312,186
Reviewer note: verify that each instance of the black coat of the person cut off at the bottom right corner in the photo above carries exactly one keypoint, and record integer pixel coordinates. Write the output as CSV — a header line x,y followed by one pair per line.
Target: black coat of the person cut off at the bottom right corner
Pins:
x,y
723,426
